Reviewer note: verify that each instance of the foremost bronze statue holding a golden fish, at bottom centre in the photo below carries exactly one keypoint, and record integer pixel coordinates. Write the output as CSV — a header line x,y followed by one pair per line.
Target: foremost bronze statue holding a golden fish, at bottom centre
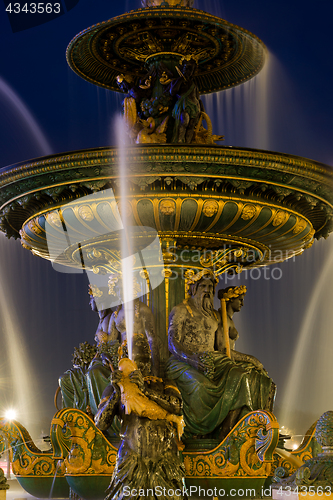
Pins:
x,y
147,464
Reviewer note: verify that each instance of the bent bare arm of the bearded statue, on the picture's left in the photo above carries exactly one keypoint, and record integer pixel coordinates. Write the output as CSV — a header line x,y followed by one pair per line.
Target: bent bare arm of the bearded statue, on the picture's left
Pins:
x,y
176,335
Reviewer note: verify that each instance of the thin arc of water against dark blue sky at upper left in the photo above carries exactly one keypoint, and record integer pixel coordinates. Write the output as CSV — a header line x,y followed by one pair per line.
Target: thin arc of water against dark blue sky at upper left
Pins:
x,y
9,98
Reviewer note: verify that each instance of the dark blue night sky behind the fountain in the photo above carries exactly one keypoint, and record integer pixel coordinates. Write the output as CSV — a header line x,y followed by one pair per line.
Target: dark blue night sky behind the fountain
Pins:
x,y
286,322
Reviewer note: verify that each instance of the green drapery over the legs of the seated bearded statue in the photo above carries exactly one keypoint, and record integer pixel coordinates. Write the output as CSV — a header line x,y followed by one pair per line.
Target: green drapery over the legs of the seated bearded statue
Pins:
x,y
207,402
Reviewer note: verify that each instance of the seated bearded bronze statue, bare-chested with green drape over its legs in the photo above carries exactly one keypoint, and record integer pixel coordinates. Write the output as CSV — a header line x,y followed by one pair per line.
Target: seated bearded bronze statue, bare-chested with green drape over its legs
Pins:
x,y
217,390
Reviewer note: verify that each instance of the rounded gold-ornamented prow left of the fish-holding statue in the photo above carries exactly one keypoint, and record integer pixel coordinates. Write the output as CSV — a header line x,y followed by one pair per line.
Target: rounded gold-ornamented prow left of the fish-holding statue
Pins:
x,y
90,452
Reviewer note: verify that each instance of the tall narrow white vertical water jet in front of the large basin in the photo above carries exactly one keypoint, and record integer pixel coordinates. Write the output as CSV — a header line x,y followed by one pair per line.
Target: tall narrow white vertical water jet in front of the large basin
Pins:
x,y
126,243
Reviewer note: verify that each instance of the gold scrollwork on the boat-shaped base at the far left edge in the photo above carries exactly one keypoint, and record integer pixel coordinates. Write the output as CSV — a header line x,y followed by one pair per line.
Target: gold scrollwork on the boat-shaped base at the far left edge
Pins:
x,y
26,458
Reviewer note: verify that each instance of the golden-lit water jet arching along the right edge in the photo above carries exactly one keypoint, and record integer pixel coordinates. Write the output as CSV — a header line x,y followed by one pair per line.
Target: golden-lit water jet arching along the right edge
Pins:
x,y
309,377
